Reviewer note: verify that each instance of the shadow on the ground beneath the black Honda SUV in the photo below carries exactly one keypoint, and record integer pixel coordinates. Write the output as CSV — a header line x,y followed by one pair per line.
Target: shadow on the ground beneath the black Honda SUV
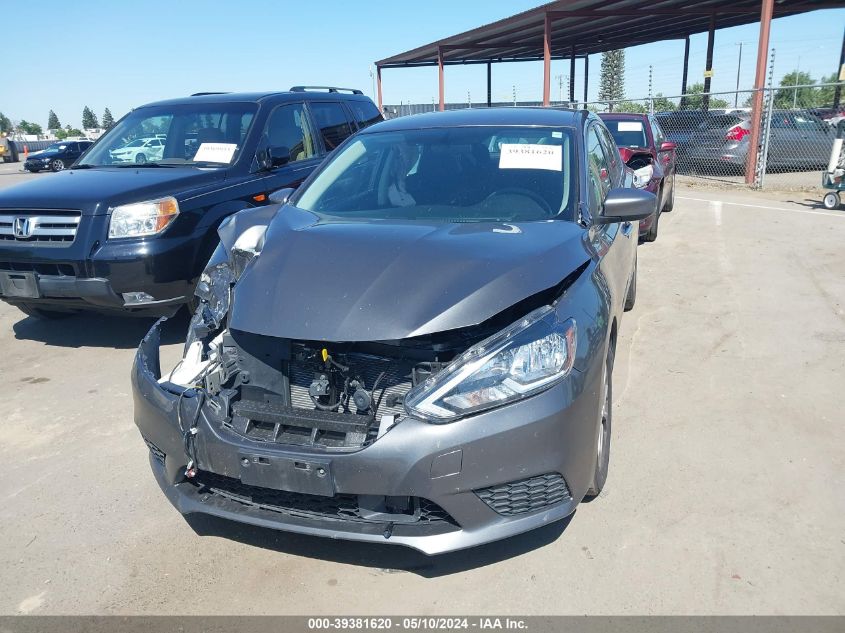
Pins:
x,y
97,330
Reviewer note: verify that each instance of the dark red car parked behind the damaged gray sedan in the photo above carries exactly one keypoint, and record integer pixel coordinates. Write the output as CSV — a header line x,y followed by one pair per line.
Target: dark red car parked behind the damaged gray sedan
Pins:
x,y
644,149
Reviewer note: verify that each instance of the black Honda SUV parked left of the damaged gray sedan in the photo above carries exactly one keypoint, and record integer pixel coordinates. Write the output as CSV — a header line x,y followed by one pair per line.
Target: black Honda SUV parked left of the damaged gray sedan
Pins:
x,y
116,234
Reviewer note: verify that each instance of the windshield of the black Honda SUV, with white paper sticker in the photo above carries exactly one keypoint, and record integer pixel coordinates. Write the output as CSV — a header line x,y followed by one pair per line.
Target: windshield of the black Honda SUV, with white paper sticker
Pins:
x,y
203,134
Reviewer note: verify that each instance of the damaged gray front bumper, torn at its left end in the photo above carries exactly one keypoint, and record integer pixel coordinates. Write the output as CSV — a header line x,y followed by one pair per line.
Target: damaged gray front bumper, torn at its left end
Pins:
x,y
435,488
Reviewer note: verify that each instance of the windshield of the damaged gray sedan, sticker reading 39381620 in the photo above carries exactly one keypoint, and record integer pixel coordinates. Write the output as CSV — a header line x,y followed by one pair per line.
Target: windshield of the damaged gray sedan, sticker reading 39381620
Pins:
x,y
464,174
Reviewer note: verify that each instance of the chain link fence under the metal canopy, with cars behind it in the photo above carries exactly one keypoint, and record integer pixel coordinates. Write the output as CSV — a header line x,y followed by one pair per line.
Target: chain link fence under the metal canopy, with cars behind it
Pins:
x,y
712,131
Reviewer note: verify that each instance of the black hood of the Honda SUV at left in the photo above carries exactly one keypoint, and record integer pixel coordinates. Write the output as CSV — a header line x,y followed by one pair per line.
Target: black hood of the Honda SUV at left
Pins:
x,y
93,191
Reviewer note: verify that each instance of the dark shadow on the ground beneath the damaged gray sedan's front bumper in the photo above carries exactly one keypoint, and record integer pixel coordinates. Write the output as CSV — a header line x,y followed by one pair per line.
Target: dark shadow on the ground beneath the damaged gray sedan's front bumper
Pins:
x,y
387,558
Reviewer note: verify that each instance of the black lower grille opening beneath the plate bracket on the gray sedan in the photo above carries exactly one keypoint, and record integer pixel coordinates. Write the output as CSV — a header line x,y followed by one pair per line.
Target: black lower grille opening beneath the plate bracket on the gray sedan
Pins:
x,y
340,507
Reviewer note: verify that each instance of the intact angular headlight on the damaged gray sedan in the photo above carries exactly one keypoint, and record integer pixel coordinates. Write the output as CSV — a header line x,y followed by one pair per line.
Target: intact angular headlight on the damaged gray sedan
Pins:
x,y
526,357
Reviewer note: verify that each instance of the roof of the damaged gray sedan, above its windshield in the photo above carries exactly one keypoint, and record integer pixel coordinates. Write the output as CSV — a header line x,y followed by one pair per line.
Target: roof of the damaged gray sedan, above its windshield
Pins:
x,y
545,117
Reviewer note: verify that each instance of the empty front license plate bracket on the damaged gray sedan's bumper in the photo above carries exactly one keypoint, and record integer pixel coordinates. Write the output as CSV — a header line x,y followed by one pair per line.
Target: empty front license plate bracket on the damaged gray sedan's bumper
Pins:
x,y
306,476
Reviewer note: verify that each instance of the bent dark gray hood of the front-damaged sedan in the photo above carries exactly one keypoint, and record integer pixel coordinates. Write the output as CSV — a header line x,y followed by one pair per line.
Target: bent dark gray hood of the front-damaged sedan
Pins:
x,y
376,281
